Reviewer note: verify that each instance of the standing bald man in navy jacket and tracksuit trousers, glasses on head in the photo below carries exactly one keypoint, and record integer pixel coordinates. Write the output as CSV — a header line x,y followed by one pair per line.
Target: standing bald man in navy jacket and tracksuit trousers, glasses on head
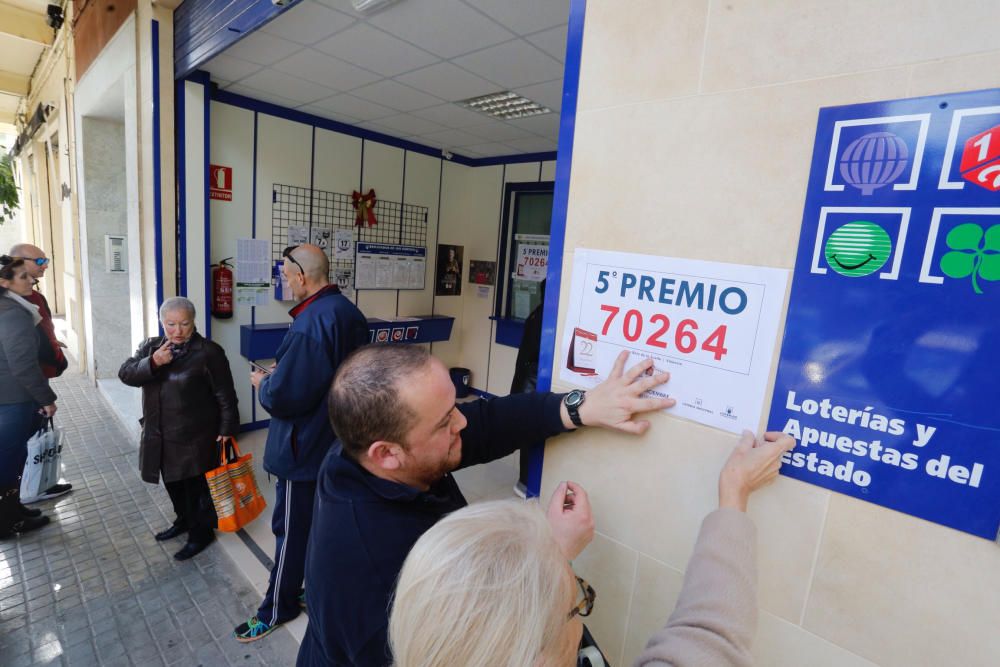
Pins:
x,y
326,327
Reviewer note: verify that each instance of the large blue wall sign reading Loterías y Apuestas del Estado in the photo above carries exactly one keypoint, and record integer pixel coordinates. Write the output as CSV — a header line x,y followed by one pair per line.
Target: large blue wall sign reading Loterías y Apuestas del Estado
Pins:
x,y
889,375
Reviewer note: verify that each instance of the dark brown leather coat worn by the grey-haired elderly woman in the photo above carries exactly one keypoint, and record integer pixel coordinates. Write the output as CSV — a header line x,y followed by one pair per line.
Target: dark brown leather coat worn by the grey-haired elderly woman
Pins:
x,y
186,404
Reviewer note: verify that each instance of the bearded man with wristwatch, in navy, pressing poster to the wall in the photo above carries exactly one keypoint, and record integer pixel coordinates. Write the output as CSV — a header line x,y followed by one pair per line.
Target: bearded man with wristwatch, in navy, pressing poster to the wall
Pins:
x,y
401,435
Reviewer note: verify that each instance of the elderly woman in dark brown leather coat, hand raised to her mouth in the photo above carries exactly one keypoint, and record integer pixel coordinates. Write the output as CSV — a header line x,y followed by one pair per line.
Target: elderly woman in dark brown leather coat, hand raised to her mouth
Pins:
x,y
188,408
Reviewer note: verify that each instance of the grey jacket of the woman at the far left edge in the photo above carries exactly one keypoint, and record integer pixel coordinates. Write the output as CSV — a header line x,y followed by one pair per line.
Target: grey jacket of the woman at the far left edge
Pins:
x,y
21,377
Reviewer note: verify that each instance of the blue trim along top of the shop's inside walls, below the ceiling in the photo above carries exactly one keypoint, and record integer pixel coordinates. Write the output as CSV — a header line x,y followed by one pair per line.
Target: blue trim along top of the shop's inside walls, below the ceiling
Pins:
x,y
260,106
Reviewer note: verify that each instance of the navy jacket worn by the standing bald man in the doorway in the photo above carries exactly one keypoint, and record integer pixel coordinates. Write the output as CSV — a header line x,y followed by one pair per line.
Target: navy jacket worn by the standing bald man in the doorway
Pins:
x,y
327,327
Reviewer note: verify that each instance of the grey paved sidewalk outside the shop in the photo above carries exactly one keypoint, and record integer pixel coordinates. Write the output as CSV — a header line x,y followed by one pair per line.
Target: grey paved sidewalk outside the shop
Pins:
x,y
95,588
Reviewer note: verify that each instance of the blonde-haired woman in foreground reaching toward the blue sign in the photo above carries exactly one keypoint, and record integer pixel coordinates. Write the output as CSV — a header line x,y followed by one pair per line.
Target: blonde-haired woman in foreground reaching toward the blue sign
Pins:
x,y
491,584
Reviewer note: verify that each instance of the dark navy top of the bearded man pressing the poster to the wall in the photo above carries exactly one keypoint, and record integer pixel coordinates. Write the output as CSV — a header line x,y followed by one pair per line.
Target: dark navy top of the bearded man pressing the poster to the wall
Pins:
x,y
364,527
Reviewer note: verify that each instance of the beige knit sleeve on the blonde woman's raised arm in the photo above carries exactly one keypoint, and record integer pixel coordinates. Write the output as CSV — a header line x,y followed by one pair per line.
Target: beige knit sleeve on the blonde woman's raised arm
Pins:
x,y
715,619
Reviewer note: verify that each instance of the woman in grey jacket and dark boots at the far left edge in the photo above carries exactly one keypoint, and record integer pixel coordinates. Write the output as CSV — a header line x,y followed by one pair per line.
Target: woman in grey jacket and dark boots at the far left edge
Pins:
x,y
25,396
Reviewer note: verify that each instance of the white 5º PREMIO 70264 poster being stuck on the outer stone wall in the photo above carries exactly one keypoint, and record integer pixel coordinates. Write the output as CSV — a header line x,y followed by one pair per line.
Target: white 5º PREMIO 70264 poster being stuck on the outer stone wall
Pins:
x,y
713,326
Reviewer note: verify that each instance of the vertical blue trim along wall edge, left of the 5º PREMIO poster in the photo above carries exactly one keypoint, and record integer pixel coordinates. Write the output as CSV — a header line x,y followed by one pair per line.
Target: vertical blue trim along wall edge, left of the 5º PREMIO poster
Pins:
x,y
560,202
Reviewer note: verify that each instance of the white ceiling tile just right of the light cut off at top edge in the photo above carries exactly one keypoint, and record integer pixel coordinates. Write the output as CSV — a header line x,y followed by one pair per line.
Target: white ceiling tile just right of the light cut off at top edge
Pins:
x,y
446,28
